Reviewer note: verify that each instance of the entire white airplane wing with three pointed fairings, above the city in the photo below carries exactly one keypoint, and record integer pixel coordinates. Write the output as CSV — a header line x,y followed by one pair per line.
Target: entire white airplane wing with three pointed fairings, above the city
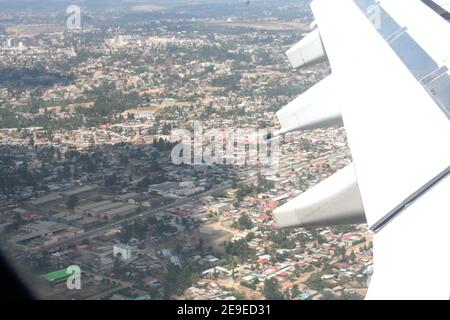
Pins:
x,y
390,86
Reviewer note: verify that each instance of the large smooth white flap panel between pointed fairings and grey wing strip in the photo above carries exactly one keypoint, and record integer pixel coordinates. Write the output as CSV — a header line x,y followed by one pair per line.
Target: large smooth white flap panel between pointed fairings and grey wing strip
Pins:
x,y
396,131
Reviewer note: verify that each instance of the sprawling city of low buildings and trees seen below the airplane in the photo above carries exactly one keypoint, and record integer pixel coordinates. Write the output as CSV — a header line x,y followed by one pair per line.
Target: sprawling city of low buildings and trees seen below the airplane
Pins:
x,y
87,118
